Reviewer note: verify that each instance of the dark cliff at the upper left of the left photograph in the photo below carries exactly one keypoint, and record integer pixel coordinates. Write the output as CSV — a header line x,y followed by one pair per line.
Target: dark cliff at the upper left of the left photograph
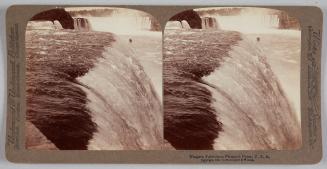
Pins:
x,y
64,18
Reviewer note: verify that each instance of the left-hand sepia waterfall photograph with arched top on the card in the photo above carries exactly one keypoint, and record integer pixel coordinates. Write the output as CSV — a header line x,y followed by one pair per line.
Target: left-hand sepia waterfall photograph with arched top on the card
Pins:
x,y
93,80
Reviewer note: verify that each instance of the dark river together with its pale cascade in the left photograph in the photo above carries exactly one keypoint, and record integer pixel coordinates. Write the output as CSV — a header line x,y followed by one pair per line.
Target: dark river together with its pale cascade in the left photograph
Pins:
x,y
87,90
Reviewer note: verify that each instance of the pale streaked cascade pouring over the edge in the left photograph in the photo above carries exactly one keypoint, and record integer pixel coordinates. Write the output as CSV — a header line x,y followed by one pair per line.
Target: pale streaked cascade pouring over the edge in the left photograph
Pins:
x,y
123,103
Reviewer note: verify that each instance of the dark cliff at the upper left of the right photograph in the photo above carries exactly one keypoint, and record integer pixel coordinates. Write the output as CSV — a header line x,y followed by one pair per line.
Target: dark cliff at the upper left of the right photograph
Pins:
x,y
191,17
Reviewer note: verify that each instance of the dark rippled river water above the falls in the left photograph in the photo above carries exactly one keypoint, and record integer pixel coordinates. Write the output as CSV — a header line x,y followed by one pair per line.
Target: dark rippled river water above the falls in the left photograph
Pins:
x,y
56,105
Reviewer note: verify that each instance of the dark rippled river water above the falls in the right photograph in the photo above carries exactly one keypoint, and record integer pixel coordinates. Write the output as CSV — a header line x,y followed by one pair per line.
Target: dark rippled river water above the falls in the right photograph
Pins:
x,y
189,118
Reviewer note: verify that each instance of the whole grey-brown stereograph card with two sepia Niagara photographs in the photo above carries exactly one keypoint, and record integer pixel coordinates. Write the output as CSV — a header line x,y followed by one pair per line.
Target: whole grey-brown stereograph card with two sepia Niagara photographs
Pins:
x,y
164,84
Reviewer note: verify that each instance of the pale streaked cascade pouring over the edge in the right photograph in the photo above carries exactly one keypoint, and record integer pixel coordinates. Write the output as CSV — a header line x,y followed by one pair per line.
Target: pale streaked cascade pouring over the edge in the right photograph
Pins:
x,y
251,104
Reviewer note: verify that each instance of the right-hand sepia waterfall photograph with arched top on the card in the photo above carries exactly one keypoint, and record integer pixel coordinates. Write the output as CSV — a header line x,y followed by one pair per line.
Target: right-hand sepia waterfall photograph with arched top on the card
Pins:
x,y
231,79
